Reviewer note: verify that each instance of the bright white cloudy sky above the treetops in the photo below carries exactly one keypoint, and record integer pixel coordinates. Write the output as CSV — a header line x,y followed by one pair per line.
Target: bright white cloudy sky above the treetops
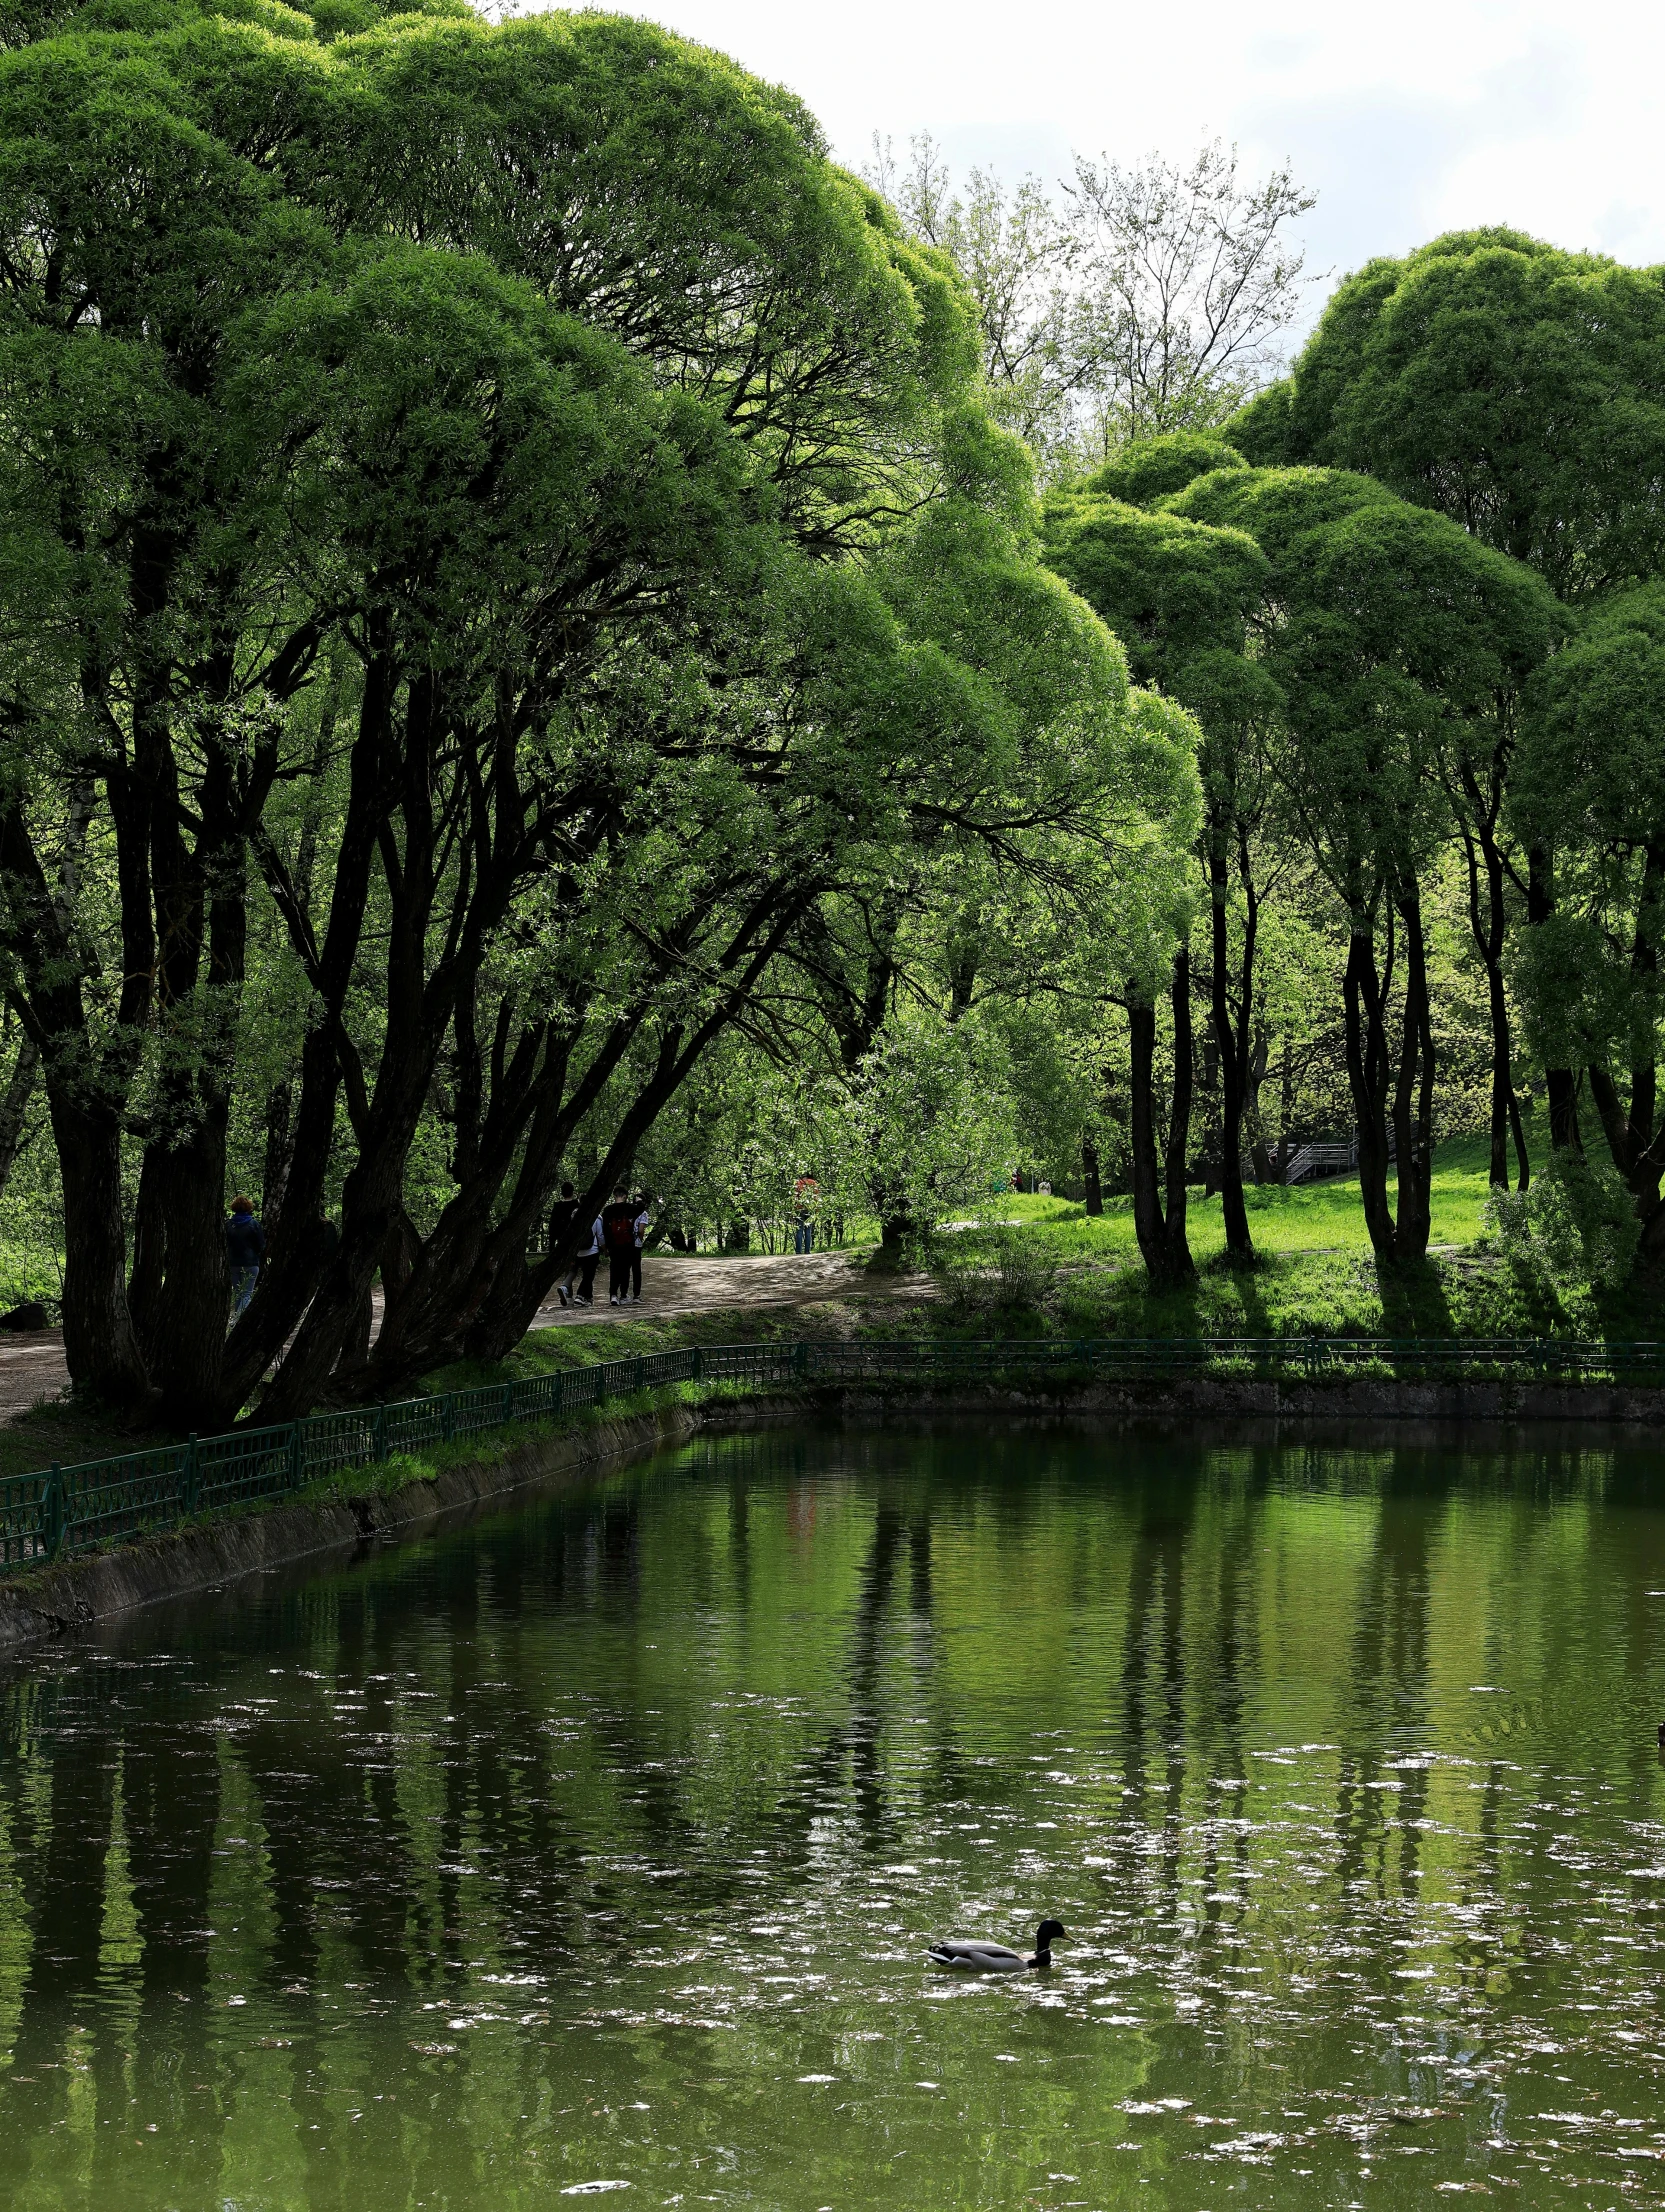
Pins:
x,y
1405,121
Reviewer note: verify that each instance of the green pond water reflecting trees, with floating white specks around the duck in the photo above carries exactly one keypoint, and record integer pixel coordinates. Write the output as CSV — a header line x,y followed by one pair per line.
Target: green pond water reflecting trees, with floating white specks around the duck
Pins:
x,y
594,1848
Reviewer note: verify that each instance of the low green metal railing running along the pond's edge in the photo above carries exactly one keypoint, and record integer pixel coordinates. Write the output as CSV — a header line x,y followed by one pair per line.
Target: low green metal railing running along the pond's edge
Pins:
x,y
65,1512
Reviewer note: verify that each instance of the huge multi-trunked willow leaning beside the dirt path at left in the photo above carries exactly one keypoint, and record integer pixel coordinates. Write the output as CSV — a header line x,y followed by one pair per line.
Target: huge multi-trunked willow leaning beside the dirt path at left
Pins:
x,y
530,446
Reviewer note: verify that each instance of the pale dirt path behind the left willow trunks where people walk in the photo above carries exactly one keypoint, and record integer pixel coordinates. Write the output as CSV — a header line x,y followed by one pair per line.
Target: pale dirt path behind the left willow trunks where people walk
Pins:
x,y
32,1368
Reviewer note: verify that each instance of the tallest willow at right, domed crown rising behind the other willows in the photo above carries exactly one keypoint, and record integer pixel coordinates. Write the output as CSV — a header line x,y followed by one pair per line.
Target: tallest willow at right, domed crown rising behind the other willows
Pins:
x,y
1518,390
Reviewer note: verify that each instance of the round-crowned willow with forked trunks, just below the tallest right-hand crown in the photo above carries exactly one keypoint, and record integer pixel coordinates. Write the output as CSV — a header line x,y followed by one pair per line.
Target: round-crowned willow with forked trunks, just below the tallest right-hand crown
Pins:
x,y
1390,634
